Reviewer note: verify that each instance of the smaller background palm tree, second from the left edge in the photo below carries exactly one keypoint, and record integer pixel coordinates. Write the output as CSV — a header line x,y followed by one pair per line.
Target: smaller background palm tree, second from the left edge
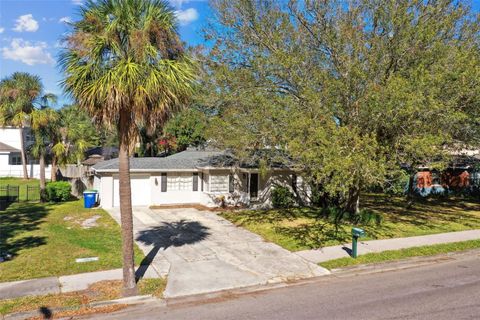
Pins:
x,y
44,127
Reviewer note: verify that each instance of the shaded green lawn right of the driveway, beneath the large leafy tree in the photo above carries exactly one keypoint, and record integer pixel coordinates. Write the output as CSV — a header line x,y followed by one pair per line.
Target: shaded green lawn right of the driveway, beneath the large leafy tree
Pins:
x,y
306,228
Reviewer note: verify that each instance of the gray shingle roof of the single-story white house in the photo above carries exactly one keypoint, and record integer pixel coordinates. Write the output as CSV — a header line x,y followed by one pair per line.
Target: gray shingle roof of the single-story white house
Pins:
x,y
186,160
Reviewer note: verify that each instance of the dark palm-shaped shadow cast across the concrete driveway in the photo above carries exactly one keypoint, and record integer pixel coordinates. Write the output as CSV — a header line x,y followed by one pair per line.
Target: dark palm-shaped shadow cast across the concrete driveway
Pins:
x,y
169,234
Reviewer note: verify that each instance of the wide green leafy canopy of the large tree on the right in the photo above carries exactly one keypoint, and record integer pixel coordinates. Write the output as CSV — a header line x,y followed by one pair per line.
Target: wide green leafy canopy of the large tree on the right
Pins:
x,y
349,92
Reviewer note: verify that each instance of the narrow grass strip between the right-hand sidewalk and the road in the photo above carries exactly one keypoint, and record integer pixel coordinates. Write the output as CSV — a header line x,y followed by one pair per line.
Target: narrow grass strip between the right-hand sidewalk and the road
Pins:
x,y
393,255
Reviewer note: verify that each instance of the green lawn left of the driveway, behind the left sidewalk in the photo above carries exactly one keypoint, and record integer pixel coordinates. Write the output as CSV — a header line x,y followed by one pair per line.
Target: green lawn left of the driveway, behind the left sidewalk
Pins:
x,y
45,240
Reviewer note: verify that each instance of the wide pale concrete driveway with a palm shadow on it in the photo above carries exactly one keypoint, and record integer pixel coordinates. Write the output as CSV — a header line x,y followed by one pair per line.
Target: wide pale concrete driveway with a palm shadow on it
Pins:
x,y
201,252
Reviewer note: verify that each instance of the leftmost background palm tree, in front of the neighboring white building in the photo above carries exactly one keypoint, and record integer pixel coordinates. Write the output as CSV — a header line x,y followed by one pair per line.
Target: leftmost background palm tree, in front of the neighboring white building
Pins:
x,y
20,94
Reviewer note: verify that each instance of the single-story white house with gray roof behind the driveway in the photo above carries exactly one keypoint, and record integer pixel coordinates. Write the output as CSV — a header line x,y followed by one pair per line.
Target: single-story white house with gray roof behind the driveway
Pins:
x,y
194,177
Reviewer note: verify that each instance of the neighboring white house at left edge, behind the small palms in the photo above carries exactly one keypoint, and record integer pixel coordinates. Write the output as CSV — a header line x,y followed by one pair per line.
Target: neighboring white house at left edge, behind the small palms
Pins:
x,y
10,156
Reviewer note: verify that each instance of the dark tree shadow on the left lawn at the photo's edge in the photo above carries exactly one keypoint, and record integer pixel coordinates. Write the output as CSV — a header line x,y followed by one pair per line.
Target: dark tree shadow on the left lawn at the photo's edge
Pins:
x,y
16,220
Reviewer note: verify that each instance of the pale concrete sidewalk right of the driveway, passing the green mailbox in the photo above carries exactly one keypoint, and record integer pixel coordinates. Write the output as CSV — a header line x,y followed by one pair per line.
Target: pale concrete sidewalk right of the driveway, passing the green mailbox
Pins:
x,y
364,247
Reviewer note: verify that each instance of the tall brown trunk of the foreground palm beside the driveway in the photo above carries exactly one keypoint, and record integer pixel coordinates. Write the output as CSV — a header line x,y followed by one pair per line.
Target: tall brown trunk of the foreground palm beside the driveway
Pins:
x,y
129,284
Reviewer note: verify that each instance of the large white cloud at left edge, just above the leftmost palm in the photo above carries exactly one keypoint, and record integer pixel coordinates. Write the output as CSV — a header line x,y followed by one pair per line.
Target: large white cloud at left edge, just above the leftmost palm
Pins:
x,y
27,52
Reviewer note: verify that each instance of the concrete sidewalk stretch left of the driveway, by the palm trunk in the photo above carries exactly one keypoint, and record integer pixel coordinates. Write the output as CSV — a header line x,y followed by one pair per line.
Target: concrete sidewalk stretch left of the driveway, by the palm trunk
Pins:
x,y
53,285
